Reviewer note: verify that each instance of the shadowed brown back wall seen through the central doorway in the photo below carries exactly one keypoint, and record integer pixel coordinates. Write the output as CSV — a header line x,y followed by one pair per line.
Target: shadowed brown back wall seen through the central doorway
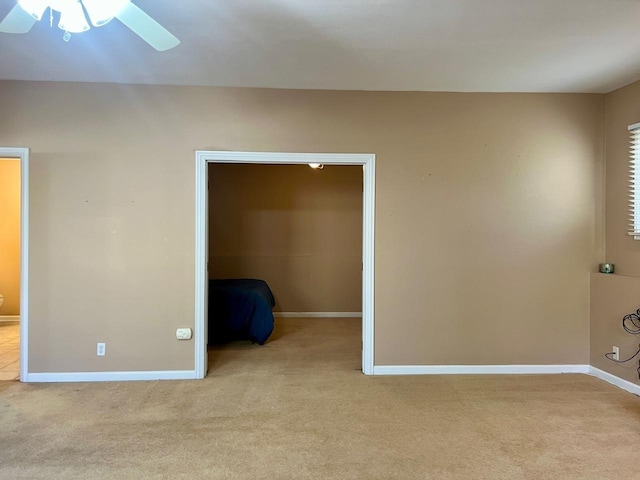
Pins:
x,y
297,228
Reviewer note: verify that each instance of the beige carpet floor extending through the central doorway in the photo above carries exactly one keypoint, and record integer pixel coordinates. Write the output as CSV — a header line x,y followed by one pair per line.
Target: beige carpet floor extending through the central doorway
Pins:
x,y
299,408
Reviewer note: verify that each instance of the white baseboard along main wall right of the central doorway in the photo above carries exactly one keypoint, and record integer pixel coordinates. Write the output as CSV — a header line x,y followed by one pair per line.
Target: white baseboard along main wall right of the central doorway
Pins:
x,y
477,369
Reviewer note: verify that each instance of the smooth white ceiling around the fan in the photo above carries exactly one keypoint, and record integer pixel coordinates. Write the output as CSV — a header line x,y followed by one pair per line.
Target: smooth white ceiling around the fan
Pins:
x,y
429,45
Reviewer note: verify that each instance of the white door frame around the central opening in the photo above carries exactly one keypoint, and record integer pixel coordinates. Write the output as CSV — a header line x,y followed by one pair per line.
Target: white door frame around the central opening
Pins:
x,y
368,216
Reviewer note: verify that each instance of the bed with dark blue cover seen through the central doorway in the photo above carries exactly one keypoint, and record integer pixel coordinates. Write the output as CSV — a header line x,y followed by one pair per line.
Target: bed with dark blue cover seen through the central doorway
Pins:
x,y
240,309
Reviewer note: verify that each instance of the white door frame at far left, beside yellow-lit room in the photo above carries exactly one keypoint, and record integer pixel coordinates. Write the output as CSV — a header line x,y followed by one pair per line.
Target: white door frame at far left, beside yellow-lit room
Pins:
x,y
22,154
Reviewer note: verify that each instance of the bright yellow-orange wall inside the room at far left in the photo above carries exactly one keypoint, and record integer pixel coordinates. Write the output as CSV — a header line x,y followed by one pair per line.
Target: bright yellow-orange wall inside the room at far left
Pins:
x,y
10,236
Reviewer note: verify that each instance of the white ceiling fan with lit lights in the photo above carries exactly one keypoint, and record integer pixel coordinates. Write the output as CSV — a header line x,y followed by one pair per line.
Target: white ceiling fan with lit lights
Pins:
x,y
75,15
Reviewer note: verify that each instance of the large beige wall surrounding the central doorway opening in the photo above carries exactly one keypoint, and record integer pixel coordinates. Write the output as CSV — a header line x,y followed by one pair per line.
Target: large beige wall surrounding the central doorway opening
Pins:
x,y
488,215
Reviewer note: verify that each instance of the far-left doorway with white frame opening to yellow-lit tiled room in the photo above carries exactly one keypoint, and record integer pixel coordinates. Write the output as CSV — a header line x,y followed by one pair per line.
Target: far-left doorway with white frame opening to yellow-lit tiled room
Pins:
x,y
14,176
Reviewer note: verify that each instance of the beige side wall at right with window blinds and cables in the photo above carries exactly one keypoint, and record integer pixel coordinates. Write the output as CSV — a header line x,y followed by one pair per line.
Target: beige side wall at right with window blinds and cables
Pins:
x,y
612,298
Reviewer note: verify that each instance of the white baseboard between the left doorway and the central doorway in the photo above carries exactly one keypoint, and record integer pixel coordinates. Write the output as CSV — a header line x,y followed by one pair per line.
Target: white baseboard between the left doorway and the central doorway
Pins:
x,y
110,376
